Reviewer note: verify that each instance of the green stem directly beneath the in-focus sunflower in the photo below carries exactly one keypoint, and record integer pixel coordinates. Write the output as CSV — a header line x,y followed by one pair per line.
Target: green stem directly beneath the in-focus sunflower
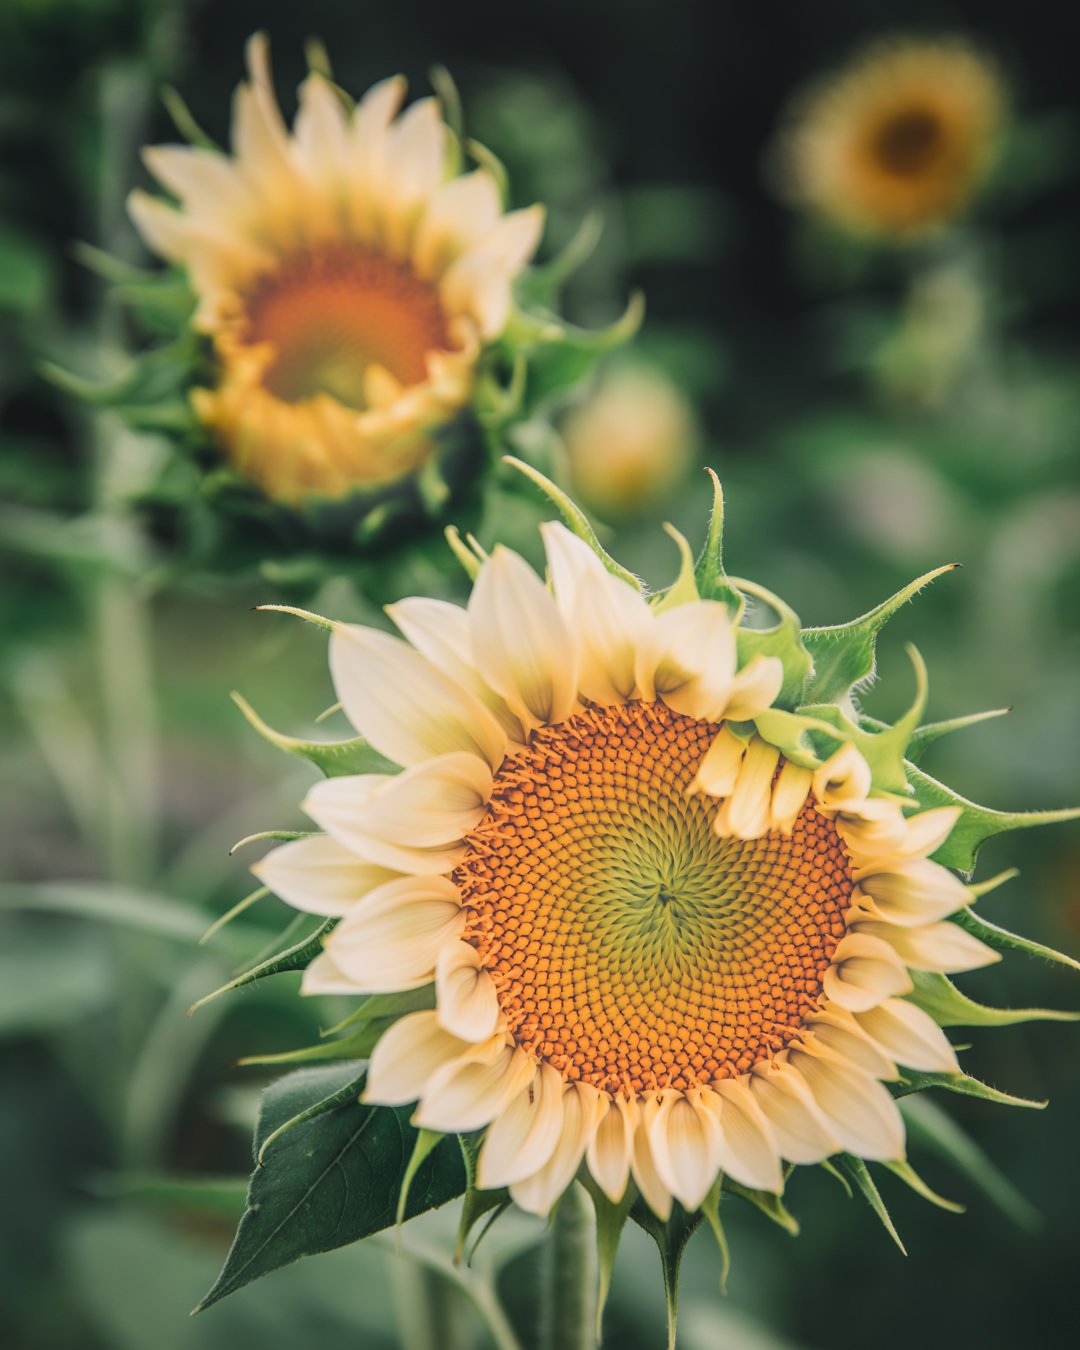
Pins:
x,y
569,1287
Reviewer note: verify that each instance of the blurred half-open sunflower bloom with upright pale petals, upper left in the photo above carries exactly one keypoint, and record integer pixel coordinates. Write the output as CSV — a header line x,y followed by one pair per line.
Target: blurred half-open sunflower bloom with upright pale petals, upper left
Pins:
x,y
348,277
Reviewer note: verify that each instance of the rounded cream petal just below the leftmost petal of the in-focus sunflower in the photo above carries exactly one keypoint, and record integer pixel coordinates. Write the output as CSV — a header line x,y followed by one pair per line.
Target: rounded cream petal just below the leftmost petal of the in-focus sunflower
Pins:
x,y
394,939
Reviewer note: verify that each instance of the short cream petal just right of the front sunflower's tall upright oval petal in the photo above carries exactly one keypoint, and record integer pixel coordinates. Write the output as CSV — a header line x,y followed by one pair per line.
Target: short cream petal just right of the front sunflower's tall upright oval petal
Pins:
x,y
611,623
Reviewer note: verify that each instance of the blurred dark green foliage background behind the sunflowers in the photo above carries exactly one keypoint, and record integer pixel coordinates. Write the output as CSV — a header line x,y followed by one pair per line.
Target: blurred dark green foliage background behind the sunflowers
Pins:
x,y
873,415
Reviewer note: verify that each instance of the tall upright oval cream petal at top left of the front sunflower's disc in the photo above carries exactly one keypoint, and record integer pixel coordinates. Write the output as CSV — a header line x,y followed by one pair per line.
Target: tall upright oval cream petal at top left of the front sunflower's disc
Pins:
x,y
520,642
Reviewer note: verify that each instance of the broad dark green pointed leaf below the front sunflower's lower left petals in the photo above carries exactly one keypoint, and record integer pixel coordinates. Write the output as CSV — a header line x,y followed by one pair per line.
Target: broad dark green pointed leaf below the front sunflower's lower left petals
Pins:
x,y
329,1181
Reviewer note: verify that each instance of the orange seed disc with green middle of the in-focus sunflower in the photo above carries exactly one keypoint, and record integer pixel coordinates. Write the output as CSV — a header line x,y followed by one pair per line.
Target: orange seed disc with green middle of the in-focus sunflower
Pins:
x,y
630,946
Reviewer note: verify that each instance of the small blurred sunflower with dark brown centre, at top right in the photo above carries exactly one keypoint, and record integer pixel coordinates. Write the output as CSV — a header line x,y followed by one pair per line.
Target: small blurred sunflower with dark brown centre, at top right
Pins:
x,y
898,144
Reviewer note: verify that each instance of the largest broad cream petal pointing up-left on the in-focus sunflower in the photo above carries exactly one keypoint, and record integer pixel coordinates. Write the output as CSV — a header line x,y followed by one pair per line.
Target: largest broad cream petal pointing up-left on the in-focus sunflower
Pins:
x,y
407,708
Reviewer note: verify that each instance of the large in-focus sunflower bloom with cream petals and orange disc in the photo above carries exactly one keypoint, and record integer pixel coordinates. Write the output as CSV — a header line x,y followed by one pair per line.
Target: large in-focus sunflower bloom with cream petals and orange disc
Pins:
x,y
665,943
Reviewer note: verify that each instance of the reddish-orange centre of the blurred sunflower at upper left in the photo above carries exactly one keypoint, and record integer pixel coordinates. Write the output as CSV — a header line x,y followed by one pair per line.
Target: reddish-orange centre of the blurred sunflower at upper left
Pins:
x,y
334,313
